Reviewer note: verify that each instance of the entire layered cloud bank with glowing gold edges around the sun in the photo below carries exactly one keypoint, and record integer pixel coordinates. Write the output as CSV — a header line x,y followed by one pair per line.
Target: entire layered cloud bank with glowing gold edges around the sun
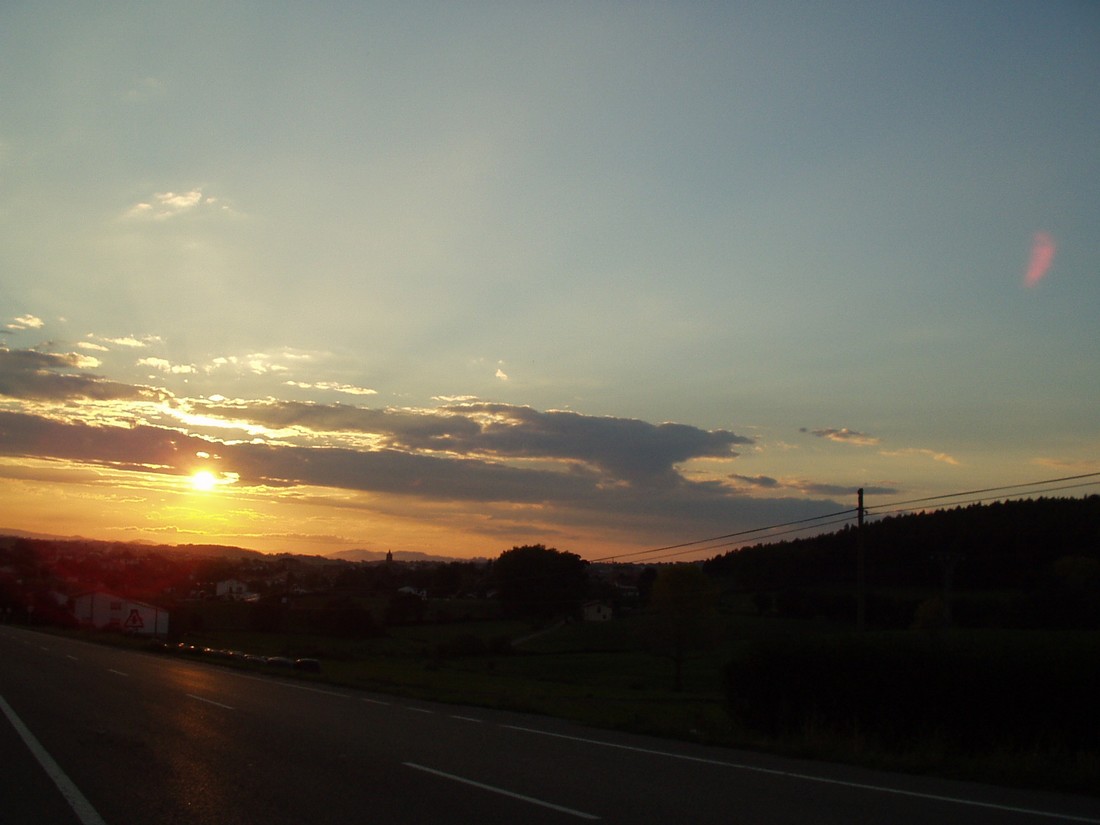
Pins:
x,y
494,468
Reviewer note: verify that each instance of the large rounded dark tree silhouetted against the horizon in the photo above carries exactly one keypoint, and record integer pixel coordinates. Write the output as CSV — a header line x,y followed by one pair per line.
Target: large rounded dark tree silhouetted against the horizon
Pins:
x,y
540,584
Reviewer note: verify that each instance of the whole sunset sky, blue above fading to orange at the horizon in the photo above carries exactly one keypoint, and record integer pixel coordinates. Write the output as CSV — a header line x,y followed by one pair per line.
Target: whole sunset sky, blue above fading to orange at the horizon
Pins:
x,y
606,277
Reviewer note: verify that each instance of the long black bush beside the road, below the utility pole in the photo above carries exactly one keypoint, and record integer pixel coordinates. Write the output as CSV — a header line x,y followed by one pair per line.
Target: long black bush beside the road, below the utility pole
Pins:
x,y
900,691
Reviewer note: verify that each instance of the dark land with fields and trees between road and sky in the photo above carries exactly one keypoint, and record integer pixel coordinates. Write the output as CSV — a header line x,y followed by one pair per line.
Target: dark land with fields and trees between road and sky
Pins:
x,y
981,659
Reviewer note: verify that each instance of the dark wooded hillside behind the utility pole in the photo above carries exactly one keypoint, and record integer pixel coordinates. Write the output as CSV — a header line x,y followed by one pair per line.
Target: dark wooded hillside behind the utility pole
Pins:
x,y
1021,564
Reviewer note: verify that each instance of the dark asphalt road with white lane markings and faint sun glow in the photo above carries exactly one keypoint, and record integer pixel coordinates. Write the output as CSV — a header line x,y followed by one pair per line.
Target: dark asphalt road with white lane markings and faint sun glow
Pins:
x,y
93,735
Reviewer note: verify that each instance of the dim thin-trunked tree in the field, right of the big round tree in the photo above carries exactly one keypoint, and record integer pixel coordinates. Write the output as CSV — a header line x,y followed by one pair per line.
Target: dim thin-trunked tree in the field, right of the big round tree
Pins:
x,y
683,611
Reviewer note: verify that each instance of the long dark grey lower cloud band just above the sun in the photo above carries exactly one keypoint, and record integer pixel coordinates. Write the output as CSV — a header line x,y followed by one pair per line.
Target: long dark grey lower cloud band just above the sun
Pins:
x,y
447,485
